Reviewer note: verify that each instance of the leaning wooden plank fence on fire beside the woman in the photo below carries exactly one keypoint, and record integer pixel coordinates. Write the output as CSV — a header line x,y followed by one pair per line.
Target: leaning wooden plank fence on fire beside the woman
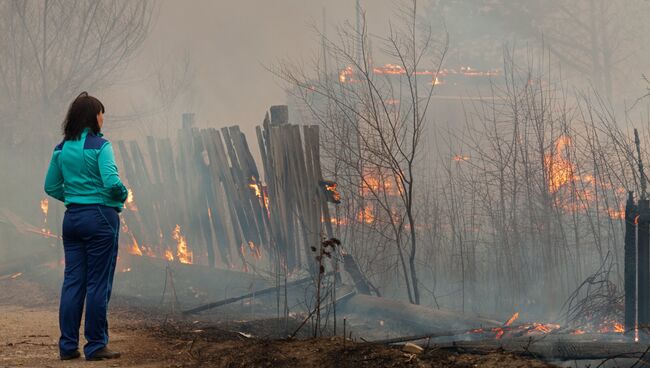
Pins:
x,y
201,199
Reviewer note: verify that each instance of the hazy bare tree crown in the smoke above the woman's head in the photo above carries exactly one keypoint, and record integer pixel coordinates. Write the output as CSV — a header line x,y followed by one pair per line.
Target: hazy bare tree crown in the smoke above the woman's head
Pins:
x,y
51,49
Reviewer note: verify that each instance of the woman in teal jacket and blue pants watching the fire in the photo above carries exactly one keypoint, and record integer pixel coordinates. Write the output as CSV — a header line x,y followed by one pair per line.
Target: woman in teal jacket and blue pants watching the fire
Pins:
x,y
83,175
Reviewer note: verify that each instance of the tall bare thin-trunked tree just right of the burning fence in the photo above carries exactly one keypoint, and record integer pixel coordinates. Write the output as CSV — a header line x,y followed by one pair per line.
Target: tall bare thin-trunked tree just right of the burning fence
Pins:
x,y
375,118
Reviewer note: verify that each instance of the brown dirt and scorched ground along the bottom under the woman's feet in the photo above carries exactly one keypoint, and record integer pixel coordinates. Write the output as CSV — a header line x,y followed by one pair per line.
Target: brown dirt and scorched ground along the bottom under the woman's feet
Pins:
x,y
150,338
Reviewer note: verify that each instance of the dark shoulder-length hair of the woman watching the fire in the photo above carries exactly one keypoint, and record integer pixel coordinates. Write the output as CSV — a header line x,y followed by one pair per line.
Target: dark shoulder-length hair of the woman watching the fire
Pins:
x,y
82,114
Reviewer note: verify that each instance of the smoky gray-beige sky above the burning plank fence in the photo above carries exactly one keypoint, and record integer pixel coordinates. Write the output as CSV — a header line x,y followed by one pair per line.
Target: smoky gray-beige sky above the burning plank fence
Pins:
x,y
229,44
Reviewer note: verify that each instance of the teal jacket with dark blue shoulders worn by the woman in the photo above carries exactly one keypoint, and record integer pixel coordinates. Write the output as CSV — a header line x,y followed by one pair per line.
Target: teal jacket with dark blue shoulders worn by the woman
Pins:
x,y
84,172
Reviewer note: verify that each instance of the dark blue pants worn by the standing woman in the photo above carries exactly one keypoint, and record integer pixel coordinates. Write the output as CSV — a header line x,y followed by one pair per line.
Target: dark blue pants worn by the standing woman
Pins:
x,y
90,236
